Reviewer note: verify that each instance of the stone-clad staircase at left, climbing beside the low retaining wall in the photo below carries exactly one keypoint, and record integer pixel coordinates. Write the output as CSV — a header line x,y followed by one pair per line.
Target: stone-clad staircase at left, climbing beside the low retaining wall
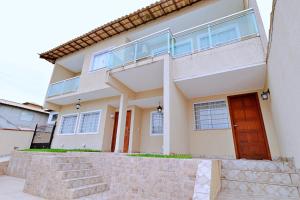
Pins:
x,y
79,177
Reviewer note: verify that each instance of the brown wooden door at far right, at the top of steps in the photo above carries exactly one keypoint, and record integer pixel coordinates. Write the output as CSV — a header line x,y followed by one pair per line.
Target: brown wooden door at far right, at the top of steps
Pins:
x,y
248,127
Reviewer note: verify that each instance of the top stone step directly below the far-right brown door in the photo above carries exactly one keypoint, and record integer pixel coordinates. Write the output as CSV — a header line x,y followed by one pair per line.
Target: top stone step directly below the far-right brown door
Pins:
x,y
258,165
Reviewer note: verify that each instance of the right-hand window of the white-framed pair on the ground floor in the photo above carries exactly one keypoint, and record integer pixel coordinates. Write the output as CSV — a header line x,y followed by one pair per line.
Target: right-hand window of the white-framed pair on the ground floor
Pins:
x,y
89,122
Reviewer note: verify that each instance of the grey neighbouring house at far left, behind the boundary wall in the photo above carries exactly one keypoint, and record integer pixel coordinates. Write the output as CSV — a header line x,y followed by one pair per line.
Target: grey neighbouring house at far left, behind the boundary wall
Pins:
x,y
23,116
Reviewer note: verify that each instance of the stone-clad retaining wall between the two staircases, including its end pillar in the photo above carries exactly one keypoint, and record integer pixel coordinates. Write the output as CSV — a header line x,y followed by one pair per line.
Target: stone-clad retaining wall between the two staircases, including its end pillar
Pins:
x,y
155,178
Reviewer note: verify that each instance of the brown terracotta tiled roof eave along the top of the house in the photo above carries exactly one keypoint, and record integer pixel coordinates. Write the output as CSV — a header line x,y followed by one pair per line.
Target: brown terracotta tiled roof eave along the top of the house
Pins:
x,y
127,22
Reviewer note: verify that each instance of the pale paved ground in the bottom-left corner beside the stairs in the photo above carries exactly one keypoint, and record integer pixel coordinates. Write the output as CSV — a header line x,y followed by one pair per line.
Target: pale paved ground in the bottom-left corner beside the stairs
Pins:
x,y
11,188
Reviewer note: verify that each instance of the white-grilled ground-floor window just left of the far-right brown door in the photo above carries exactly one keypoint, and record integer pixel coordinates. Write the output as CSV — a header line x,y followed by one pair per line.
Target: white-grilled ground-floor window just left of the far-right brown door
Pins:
x,y
211,115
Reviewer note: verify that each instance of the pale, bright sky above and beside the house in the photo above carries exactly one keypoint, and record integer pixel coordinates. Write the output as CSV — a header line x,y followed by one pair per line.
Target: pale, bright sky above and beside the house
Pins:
x,y
33,26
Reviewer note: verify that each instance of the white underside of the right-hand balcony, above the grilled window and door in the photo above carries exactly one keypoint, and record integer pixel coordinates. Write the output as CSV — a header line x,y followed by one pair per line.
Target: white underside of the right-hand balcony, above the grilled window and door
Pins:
x,y
238,79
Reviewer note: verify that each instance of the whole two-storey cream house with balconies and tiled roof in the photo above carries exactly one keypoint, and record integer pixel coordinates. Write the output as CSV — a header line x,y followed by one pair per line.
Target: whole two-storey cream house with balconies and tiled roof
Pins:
x,y
203,61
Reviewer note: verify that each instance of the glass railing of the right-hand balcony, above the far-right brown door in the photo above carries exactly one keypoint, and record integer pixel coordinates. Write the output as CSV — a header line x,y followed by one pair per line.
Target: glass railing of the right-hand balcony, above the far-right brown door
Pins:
x,y
216,33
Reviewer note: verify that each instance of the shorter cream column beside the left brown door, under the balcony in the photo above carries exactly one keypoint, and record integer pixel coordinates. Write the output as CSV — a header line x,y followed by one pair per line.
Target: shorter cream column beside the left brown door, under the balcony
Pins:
x,y
121,123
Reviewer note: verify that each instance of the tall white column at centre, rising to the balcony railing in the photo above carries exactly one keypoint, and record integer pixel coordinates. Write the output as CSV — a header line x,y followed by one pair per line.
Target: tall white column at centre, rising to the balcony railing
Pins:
x,y
166,96
